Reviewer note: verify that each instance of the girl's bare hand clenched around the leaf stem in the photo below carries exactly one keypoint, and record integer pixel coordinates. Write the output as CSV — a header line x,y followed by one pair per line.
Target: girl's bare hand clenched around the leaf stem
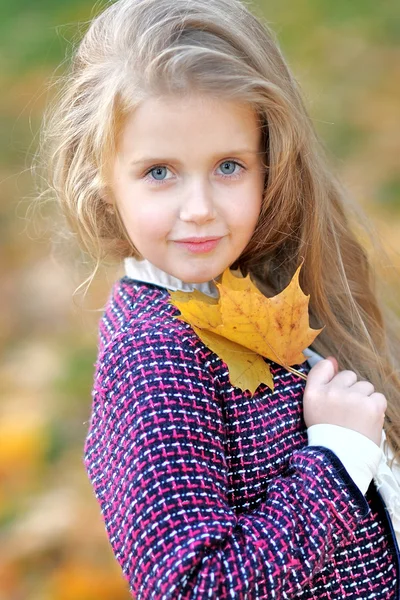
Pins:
x,y
337,398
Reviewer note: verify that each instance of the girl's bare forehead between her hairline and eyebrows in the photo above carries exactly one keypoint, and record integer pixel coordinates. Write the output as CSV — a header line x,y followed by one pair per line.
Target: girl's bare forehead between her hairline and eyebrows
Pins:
x,y
186,122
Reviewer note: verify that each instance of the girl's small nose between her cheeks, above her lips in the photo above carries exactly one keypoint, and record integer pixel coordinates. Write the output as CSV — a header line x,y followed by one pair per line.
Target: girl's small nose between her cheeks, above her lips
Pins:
x,y
198,203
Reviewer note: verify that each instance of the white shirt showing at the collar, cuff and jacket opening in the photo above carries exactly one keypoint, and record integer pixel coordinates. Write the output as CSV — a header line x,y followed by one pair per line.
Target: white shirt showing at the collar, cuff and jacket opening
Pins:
x,y
360,456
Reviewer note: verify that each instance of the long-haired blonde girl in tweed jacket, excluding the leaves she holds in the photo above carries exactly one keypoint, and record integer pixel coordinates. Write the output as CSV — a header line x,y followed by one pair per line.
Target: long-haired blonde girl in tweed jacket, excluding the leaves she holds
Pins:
x,y
180,142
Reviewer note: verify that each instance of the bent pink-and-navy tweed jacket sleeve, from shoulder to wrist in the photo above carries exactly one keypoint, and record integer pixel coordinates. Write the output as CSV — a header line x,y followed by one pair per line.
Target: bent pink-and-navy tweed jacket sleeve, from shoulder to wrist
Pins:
x,y
155,457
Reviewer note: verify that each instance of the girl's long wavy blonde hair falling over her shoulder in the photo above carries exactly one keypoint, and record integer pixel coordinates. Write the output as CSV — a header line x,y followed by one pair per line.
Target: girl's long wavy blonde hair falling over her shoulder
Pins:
x,y
136,49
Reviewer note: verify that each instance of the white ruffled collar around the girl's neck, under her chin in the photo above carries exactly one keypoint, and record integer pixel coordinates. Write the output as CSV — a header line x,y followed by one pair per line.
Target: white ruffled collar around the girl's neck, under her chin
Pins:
x,y
144,270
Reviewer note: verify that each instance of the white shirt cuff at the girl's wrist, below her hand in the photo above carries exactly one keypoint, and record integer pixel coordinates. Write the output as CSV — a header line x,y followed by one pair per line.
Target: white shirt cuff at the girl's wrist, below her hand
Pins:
x,y
359,455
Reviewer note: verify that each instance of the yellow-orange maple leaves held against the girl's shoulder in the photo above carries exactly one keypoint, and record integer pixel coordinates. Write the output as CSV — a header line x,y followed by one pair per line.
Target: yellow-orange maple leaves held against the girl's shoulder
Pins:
x,y
242,326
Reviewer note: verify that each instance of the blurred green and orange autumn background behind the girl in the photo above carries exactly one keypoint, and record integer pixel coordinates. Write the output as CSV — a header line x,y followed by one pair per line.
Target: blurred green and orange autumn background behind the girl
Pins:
x,y
53,545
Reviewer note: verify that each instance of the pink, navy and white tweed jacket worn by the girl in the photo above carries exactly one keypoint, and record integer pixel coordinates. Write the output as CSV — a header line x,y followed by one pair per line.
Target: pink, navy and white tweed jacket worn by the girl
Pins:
x,y
209,493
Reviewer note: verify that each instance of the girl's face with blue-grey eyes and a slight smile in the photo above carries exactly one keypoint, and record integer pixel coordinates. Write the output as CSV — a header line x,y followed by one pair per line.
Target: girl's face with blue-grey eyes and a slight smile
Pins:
x,y
190,167
